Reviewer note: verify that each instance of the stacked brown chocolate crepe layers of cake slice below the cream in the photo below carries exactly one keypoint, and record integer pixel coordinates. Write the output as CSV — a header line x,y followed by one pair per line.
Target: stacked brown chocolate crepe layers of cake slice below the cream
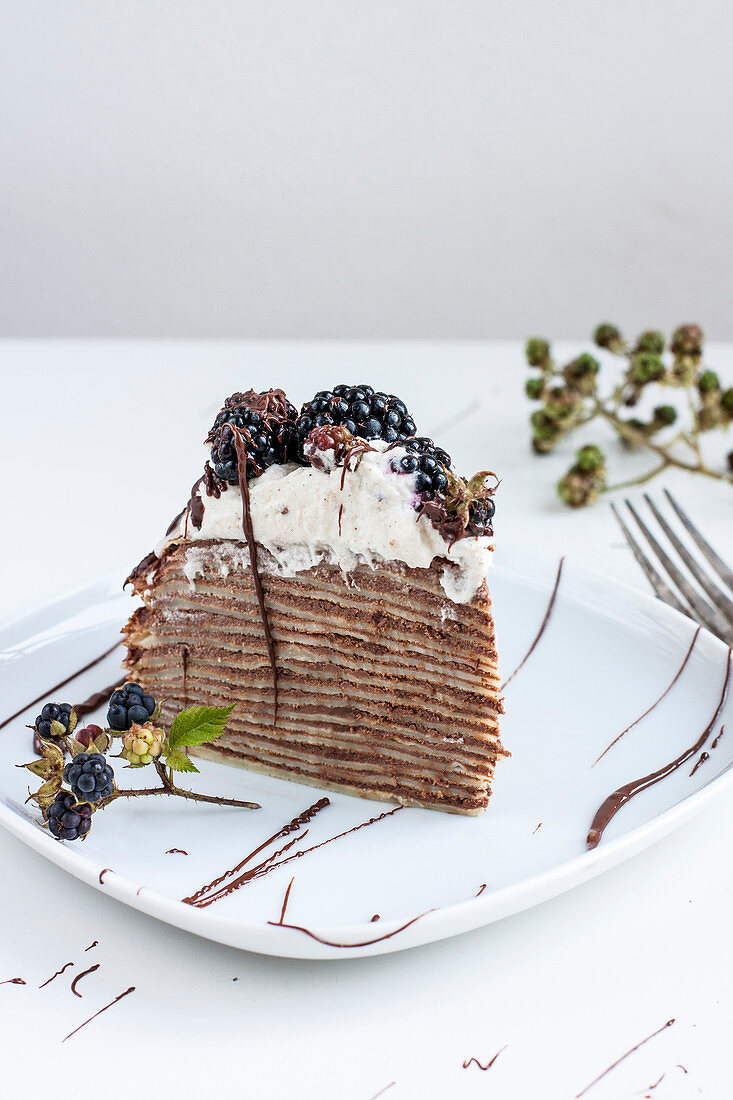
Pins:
x,y
386,689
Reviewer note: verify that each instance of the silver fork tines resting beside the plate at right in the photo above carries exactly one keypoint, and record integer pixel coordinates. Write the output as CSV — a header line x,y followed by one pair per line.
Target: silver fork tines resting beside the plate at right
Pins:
x,y
717,611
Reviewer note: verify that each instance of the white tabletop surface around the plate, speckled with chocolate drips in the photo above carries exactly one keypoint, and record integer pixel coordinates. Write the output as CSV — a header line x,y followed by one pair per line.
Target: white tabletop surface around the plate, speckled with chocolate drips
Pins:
x,y
101,445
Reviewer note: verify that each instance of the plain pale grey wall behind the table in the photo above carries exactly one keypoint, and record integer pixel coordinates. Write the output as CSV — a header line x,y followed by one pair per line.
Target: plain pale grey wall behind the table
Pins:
x,y
333,168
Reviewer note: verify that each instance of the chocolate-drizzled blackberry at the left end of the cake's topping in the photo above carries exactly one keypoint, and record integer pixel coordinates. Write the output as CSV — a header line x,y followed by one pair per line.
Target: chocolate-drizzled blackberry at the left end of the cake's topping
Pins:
x,y
266,421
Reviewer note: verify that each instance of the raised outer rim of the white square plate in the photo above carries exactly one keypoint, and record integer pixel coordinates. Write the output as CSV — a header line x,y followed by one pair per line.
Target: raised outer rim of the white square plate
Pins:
x,y
437,925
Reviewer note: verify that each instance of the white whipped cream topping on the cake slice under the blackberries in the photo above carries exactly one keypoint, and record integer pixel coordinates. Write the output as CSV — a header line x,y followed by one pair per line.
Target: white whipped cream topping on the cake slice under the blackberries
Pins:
x,y
305,519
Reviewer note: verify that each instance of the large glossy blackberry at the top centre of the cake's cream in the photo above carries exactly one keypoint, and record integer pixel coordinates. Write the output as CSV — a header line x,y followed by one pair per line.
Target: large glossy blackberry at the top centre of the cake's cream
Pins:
x,y
360,410
